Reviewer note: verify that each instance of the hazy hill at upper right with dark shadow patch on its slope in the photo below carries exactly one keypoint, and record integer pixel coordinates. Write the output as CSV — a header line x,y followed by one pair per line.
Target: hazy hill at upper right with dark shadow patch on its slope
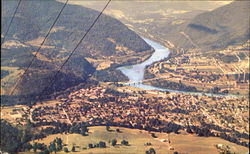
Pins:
x,y
215,29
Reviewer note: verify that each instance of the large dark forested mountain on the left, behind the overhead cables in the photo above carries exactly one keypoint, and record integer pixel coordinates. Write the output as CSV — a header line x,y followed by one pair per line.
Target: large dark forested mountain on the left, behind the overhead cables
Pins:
x,y
108,40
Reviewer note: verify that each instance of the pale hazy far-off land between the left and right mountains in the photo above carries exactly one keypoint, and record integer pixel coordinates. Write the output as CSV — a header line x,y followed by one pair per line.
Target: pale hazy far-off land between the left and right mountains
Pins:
x,y
154,19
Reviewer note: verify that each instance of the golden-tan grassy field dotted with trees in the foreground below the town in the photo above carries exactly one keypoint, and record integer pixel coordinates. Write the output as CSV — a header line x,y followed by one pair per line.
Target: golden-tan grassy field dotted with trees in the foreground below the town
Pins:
x,y
183,143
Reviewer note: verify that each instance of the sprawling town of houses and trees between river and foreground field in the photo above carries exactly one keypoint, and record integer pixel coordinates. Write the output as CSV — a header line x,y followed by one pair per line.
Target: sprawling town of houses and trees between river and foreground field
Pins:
x,y
225,117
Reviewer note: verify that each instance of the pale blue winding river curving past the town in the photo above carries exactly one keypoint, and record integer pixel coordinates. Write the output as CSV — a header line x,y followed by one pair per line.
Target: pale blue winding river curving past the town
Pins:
x,y
135,73
